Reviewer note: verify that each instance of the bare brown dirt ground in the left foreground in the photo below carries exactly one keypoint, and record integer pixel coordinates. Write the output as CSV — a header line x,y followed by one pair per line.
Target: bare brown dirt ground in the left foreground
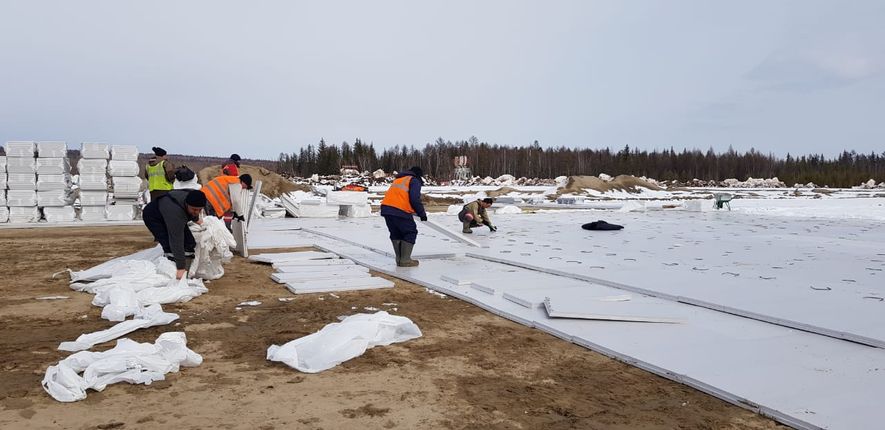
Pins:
x,y
471,369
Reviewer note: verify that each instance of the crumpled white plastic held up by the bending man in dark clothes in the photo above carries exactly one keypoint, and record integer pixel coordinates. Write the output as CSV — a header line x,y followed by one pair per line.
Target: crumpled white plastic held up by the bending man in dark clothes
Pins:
x,y
213,250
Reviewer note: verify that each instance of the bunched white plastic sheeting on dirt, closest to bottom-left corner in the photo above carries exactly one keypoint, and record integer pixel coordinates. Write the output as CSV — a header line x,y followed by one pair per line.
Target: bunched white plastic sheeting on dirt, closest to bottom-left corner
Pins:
x,y
128,361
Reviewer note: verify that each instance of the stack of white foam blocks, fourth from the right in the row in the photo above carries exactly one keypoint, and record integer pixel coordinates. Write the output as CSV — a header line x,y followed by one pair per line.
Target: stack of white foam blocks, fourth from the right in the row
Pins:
x,y
21,181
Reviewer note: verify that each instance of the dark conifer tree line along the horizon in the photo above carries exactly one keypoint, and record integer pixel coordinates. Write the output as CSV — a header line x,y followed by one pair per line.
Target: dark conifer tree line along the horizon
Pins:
x,y
534,161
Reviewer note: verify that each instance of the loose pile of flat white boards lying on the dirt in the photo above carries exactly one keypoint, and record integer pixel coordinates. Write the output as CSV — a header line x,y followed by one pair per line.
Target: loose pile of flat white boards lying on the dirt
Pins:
x,y
319,272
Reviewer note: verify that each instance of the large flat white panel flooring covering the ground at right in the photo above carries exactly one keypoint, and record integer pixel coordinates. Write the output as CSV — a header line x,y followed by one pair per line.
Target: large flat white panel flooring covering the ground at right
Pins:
x,y
800,378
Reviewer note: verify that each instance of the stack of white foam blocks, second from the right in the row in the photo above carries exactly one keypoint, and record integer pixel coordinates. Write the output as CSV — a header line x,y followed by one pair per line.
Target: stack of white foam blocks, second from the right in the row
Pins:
x,y
93,180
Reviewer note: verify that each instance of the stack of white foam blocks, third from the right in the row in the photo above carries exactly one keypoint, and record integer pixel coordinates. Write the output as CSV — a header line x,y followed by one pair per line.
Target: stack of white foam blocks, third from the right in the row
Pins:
x,y
54,182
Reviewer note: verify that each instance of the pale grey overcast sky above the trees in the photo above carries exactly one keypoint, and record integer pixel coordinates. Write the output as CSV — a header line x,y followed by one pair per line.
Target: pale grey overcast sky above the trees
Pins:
x,y
260,78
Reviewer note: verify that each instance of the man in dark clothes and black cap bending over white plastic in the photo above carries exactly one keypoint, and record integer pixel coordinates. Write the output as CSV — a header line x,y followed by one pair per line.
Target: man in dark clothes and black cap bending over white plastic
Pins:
x,y
167,219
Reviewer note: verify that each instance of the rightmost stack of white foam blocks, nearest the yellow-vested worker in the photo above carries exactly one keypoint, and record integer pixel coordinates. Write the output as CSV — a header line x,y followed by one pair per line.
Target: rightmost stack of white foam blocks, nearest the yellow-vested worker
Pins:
x,y
123,170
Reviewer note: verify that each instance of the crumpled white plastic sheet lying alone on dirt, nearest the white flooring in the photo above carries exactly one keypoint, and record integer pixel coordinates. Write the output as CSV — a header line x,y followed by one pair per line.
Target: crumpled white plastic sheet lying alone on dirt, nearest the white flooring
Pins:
x,y
342,341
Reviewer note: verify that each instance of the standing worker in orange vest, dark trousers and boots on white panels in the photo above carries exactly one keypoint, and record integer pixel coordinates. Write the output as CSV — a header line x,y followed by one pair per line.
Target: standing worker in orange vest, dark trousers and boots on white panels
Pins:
x,y
400,204
